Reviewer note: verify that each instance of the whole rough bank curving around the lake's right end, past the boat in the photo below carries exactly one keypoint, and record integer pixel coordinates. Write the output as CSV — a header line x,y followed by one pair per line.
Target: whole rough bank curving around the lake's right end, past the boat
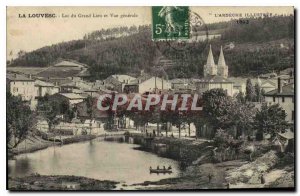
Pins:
x,y
277,169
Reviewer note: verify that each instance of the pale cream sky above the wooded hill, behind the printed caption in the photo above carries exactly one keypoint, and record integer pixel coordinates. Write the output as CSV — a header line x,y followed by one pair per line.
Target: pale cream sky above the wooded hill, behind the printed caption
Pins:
x,y
32,33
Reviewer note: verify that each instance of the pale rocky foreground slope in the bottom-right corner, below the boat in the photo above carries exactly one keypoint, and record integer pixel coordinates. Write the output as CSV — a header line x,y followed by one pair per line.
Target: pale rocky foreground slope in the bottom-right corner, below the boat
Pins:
x,y
236,174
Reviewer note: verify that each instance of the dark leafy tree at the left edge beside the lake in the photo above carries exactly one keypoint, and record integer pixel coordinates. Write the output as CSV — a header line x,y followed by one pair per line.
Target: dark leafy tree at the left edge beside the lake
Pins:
x,y
19,120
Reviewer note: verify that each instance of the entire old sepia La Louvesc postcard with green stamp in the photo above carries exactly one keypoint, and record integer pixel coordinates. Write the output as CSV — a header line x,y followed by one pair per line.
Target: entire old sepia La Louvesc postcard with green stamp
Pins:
x,y
150,98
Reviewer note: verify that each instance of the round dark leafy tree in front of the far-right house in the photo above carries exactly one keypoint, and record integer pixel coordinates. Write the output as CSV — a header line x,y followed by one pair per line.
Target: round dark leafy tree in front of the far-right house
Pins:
x,y
270,120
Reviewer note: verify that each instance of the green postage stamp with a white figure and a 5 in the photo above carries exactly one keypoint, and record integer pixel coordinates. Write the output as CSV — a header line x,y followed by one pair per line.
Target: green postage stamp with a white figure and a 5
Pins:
x,y
170,22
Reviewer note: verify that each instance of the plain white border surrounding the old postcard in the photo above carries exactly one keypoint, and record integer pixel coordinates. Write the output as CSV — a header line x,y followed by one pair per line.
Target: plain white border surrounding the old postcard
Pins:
x,y
5,3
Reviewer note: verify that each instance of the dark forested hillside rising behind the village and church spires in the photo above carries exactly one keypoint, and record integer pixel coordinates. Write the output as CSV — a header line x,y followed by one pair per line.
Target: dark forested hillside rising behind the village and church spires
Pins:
x,y
261,46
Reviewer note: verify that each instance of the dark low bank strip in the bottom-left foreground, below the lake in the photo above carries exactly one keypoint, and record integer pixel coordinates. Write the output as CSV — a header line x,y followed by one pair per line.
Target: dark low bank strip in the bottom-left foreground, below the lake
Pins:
x,y
61,182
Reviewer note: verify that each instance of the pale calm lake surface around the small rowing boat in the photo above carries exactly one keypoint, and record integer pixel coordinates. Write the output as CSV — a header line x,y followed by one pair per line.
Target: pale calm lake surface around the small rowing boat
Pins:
x,y
94,159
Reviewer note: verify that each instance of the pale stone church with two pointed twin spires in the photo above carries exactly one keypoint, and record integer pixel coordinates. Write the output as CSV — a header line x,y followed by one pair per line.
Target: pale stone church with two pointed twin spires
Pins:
x,y
215,75
